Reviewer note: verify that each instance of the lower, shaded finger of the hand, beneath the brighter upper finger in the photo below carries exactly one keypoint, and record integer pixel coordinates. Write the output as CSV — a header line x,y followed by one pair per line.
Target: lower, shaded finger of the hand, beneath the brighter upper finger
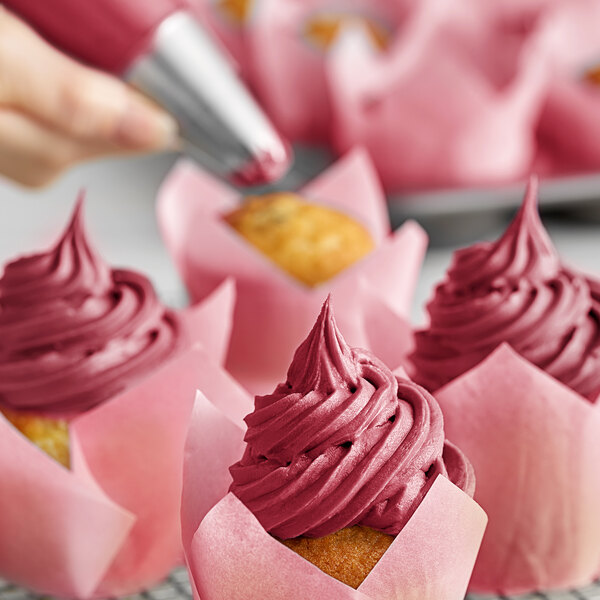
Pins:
x,y
33,154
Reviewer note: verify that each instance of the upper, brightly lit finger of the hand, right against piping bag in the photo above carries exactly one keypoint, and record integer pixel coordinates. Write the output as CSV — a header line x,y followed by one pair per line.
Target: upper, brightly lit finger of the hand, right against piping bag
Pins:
x,y
74,100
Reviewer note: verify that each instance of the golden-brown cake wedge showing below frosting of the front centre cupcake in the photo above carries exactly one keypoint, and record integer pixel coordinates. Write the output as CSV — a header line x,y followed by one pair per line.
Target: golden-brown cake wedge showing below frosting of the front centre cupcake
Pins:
x,y
348,555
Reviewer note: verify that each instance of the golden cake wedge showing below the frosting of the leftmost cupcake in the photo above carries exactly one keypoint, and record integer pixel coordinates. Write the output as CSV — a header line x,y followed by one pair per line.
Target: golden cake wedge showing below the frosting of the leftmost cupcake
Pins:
x,y
50,435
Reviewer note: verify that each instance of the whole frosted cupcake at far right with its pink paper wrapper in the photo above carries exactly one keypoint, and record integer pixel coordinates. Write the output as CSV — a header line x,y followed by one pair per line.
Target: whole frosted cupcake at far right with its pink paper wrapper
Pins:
x,y
512,351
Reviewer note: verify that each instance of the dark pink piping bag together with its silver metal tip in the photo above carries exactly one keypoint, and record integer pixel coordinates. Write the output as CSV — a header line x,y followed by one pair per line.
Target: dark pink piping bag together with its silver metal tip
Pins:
x,y
159,47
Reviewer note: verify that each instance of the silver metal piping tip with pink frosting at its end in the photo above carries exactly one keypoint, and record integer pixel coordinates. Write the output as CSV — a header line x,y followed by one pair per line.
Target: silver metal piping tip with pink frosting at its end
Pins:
x,y
222,126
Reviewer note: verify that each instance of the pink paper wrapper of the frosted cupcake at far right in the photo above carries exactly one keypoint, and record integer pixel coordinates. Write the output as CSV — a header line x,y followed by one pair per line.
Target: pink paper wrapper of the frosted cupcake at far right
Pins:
x,y
535,447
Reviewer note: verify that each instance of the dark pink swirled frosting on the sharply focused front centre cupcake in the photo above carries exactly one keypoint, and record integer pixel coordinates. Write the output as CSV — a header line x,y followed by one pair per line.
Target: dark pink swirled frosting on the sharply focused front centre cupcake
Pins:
x,y
342,442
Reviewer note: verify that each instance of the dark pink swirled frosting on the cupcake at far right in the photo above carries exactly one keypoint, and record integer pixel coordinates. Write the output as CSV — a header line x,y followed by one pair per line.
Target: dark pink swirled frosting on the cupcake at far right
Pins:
x,y
515,290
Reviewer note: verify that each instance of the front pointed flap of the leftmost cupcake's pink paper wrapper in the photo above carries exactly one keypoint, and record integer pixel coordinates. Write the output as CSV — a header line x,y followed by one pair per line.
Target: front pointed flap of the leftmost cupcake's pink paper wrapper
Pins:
x,y
47,514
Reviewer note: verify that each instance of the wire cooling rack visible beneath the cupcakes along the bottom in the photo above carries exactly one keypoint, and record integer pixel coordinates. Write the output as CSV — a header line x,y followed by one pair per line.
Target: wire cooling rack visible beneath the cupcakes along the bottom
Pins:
x,y
177,587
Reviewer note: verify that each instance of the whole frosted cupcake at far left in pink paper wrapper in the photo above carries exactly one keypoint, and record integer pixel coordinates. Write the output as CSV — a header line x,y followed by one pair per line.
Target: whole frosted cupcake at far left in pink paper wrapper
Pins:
x,y
97,373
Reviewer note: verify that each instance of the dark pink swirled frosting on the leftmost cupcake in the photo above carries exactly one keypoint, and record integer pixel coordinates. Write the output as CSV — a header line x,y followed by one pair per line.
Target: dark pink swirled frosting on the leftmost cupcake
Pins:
x,y
73,331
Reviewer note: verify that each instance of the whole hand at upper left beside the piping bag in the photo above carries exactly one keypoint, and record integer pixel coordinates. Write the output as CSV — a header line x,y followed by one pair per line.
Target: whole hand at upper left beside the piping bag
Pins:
x,y
54,112
